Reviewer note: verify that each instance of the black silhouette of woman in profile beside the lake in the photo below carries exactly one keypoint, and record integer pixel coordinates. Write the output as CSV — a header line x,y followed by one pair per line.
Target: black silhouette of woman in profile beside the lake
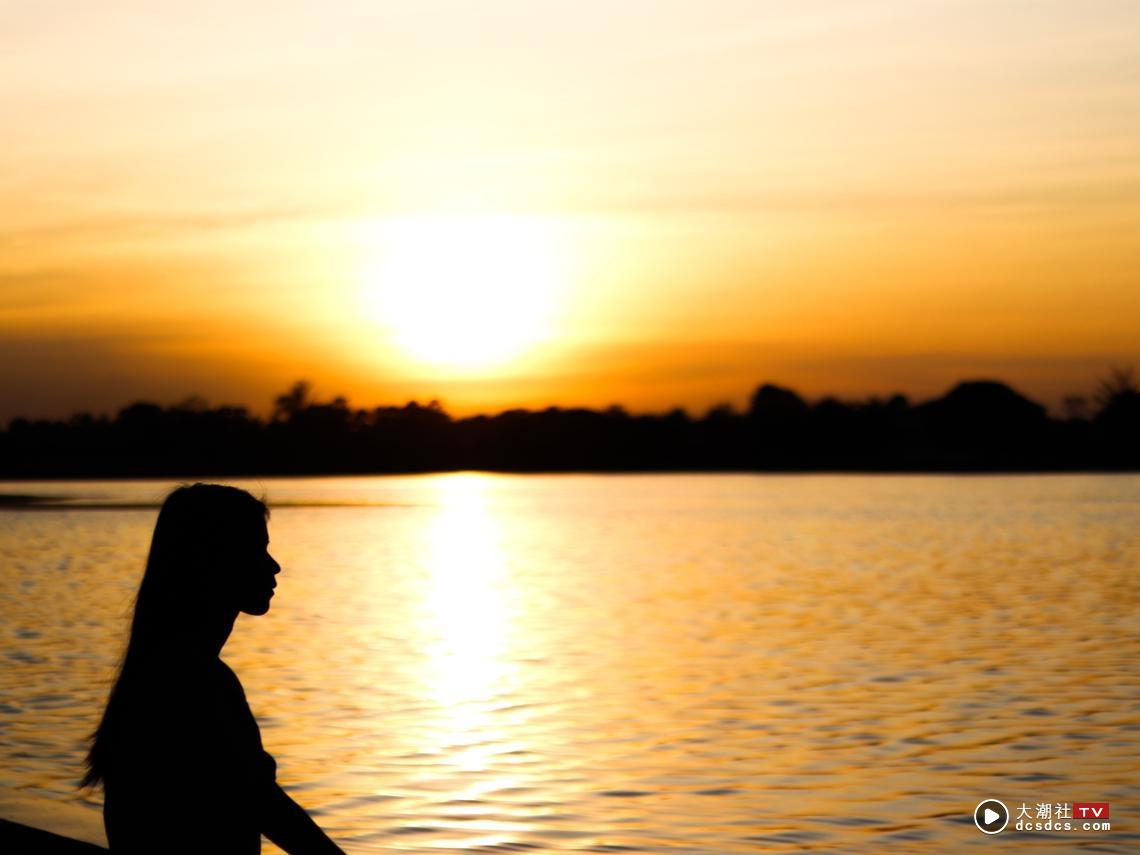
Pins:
x,y
178,752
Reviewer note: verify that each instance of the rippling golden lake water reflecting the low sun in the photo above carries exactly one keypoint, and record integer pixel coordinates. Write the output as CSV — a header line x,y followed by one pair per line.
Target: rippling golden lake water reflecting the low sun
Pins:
x,y
682,664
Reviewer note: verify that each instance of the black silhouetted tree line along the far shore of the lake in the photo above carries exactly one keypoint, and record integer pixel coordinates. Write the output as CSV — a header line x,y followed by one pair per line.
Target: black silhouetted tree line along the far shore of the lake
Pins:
x,y
976,427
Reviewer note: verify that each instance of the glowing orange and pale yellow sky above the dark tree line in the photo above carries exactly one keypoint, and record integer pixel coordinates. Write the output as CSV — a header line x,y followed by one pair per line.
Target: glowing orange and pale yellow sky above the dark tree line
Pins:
x,y
519,205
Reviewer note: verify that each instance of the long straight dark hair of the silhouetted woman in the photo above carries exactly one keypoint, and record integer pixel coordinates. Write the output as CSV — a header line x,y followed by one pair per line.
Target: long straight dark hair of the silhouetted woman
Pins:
x,y
197,532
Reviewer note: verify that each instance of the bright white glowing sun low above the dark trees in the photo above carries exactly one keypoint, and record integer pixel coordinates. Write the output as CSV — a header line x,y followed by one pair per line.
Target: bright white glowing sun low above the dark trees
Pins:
x,y
463,291
